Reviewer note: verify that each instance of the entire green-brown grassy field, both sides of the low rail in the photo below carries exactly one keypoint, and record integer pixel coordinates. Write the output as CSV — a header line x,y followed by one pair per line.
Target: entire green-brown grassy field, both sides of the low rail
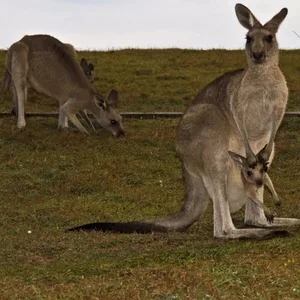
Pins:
x,y
51,181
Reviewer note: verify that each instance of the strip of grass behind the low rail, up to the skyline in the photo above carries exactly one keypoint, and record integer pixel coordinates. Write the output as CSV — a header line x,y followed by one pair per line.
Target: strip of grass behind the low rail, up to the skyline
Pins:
x,y
161,80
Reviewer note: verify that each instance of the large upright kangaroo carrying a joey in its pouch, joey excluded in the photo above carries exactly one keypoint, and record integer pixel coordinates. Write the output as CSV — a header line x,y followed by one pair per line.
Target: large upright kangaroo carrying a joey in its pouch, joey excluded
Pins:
x,y
249,101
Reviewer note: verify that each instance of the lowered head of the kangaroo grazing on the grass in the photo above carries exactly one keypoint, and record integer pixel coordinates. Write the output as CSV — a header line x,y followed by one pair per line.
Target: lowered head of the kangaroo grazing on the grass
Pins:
x,y
106,114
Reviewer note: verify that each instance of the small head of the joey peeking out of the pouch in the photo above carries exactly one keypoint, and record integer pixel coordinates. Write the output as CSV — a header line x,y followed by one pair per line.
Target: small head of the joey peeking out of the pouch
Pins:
x,y
252,170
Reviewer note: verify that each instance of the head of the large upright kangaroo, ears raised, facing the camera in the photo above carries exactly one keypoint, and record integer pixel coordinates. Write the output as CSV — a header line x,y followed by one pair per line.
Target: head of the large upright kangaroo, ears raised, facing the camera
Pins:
x,y
261,43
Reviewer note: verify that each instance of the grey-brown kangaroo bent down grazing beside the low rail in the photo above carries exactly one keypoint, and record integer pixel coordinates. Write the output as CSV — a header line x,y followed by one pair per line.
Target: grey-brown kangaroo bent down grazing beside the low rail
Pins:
x,y
45,64
